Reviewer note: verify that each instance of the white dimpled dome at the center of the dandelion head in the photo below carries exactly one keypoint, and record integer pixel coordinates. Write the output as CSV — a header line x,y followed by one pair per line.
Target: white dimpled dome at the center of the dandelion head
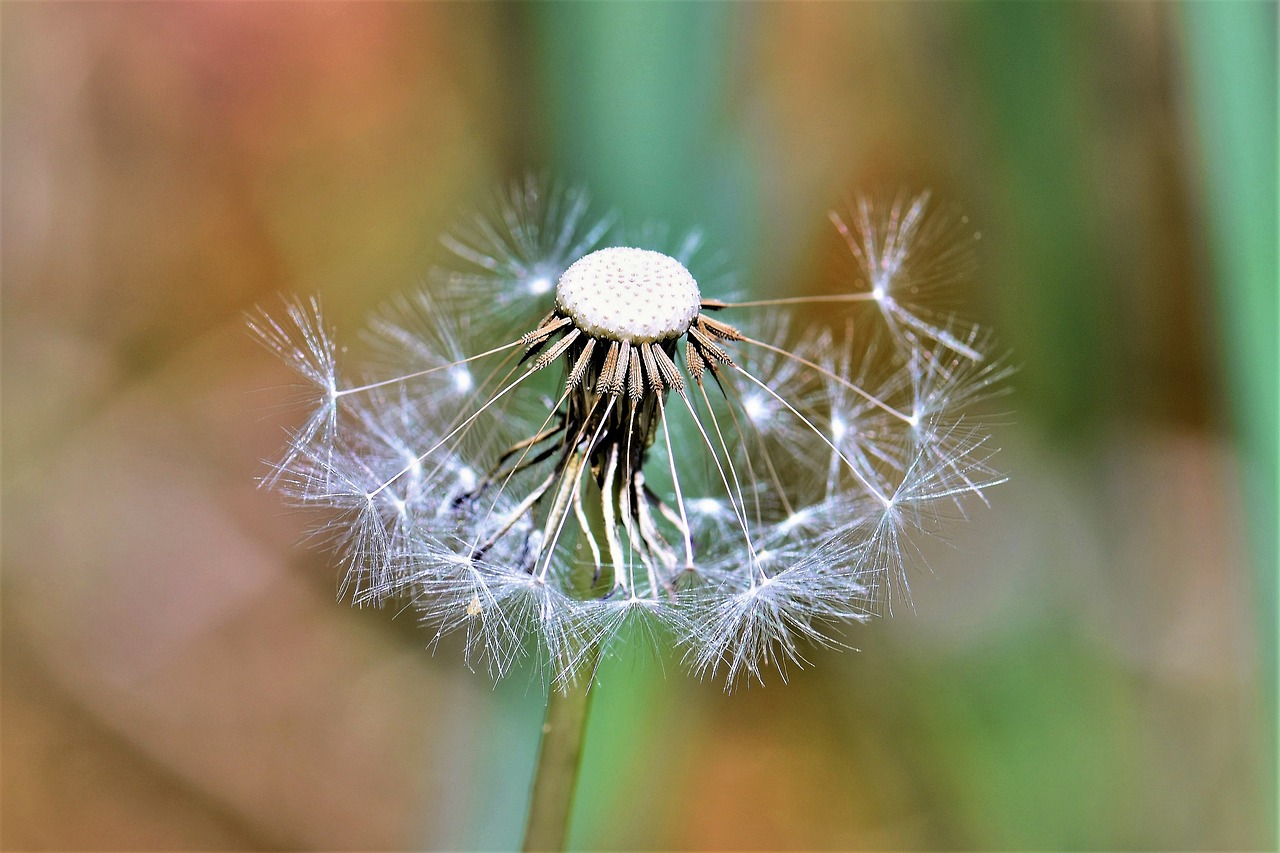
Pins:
x,y
629,295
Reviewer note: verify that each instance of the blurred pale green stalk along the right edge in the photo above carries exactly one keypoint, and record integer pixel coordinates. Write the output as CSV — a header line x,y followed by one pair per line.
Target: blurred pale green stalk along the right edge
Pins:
x,y
1232,71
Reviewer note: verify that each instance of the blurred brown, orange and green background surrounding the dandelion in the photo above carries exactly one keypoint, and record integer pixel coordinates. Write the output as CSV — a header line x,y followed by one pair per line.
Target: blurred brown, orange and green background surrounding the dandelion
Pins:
x,y
1092,663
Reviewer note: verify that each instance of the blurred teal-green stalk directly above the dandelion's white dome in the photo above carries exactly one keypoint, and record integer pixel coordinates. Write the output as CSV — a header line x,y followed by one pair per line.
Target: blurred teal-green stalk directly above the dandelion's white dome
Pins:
x,y
630,102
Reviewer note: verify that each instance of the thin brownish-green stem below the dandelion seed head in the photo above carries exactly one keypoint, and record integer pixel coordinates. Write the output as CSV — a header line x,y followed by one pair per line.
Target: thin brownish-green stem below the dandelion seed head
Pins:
x,y
559,760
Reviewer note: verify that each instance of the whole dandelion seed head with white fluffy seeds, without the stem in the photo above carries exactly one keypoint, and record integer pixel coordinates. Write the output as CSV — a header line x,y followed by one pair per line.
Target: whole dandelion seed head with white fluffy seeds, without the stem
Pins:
x,y
572,441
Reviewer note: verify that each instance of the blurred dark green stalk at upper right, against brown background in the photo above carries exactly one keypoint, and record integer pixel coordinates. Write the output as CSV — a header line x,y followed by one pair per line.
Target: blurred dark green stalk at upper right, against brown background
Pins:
x,y
1028,60
